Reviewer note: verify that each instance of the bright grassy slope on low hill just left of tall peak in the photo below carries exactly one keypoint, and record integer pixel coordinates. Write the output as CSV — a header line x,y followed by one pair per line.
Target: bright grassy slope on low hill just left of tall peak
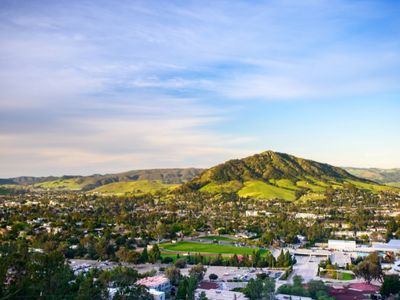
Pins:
x,y
134,187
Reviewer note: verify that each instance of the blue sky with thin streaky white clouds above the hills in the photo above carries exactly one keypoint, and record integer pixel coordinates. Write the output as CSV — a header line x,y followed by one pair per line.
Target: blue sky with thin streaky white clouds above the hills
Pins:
x,y
108,86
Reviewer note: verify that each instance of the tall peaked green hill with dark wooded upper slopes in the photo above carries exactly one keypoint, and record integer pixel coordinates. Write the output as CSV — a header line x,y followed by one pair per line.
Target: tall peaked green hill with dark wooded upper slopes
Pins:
x,y
273,175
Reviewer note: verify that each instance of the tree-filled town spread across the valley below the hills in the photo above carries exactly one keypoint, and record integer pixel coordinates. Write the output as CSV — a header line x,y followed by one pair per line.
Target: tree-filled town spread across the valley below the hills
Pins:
x,y
202,246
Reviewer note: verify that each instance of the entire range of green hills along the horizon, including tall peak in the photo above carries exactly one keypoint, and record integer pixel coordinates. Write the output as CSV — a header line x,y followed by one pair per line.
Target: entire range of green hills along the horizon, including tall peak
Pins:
x,y
268,175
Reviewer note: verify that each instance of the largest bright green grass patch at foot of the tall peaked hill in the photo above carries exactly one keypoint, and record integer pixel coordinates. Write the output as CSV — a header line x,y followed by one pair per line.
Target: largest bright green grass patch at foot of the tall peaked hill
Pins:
x,y
262,190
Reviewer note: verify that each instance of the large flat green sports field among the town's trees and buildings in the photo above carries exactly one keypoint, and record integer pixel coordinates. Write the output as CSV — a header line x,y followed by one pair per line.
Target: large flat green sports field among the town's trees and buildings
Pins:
x,y
207,248
